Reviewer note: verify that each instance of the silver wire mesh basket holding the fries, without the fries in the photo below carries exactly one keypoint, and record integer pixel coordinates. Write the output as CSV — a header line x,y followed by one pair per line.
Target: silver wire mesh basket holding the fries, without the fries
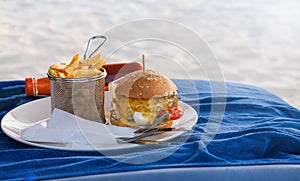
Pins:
x,y
83,97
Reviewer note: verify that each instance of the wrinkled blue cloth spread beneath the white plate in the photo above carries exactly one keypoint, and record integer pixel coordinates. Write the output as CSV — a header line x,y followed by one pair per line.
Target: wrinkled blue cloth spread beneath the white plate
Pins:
x,y
256,128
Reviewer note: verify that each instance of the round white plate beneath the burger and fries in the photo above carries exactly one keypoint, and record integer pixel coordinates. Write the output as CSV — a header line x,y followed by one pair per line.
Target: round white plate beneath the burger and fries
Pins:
x,y
34,112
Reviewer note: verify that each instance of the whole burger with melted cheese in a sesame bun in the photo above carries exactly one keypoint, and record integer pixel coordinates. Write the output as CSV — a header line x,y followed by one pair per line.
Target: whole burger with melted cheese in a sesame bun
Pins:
x,y
140,97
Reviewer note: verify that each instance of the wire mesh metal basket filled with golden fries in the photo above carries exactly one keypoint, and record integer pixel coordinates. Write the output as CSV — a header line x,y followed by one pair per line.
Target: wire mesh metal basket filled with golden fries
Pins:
x,y
78,87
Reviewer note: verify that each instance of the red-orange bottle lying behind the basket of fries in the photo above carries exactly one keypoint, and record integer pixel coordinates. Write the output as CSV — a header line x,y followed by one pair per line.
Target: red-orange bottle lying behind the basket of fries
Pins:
x,y
41,86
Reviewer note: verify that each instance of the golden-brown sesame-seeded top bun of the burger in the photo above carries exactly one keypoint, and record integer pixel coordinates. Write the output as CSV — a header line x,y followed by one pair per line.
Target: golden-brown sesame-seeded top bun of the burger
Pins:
x,y
145,85
